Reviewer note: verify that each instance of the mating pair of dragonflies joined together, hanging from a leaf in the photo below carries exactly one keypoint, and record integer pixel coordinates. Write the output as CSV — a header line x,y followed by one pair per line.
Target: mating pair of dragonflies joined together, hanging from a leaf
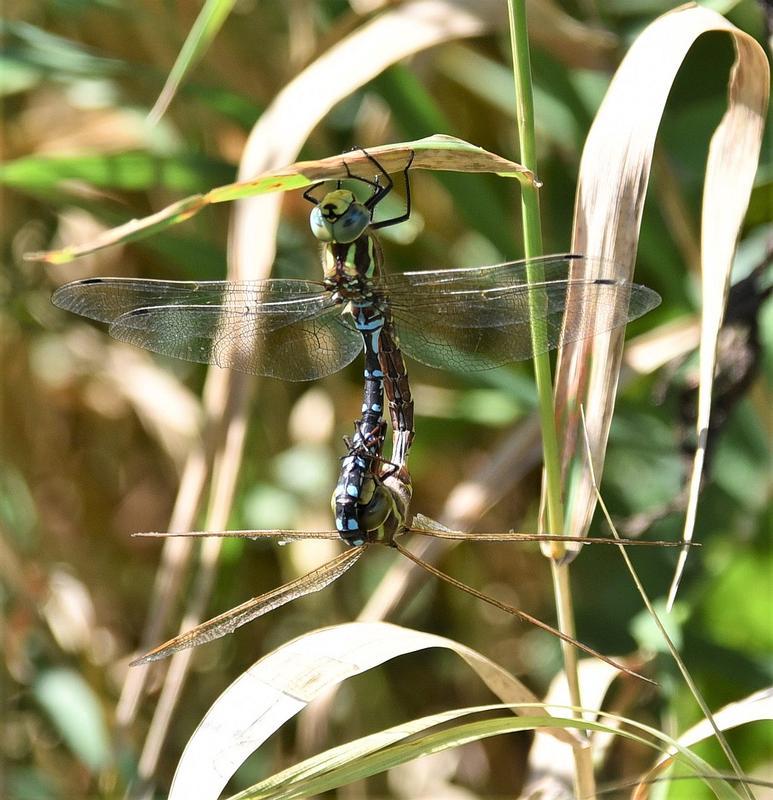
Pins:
x,y
460,319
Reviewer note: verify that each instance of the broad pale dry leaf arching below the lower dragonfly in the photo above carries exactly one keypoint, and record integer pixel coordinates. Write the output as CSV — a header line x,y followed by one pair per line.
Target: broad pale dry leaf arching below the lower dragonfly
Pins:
x,y
282,683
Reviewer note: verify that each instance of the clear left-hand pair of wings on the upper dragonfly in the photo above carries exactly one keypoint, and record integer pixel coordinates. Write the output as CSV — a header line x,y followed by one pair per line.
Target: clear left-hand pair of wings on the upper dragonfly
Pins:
x,y
281,328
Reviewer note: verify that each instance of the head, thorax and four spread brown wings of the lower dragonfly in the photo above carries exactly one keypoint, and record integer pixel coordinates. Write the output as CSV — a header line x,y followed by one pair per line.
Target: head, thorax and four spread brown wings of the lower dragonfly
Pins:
x,y
384,502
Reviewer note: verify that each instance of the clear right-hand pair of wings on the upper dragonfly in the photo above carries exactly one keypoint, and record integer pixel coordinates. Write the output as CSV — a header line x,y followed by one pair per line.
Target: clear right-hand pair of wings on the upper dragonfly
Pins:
x,y
479,318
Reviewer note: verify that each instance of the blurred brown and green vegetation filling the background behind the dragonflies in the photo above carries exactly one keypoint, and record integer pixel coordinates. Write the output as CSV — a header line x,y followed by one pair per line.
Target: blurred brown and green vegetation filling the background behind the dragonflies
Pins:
x,y
99,440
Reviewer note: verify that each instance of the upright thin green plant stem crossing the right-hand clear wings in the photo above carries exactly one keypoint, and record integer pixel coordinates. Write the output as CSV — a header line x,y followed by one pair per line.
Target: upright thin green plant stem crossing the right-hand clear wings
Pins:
x,y
532,236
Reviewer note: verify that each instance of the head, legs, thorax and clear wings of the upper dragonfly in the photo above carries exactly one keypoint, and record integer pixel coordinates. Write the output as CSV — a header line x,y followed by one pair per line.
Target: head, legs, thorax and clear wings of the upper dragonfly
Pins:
x,y
460,319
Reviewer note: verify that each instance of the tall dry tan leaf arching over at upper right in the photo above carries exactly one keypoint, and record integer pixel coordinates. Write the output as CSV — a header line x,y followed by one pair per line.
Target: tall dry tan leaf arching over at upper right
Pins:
x,y
614,173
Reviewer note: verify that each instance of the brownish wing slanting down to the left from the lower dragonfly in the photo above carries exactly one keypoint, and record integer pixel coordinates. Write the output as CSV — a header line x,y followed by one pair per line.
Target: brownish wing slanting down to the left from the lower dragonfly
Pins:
x,y
231,620
